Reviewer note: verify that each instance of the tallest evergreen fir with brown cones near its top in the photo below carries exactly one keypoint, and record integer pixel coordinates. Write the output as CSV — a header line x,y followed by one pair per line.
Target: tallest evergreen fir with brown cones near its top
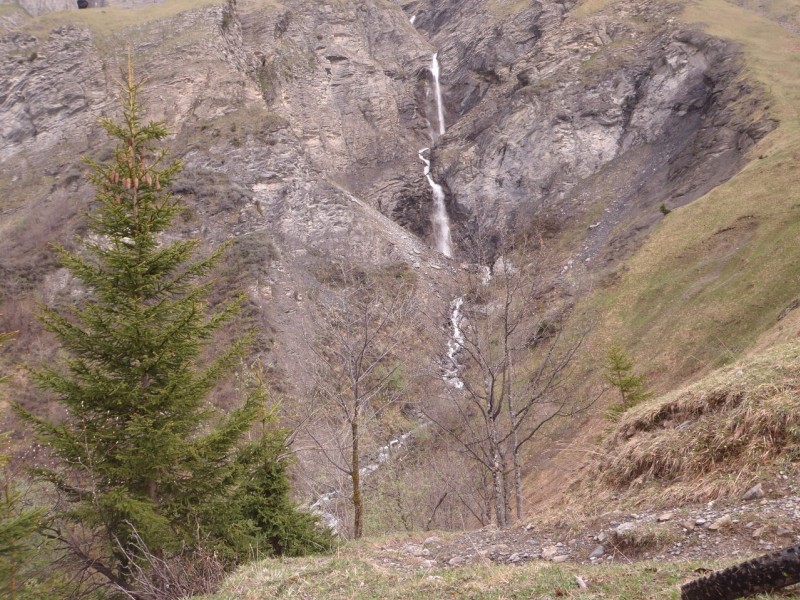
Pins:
x,y
142,454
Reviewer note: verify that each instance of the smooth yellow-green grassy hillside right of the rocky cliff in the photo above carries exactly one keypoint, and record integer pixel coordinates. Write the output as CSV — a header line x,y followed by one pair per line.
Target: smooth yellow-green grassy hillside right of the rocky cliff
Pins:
x,y
716,274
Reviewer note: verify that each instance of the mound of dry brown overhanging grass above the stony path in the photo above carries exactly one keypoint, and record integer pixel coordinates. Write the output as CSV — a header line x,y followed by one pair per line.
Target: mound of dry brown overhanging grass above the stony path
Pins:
x,y
711,438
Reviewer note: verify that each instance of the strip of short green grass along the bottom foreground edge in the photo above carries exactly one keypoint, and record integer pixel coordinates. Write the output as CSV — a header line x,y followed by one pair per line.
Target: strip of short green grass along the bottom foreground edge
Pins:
x,y
352,577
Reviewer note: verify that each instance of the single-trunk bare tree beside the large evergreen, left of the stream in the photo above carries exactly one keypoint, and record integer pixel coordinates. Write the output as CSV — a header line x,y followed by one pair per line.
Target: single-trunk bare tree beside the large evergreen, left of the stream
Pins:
x,y
358,375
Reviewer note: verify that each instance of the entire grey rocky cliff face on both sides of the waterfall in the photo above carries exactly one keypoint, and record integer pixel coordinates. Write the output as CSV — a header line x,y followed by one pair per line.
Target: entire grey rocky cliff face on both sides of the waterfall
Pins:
x,y
542,103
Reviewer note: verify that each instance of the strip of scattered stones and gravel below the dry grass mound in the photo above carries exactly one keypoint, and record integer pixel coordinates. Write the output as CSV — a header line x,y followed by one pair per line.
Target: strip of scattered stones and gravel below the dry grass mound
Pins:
x,y
714,531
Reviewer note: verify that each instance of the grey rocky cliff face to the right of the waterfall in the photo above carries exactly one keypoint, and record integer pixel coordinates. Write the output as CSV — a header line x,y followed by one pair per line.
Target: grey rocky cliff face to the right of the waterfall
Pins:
x,y
600,118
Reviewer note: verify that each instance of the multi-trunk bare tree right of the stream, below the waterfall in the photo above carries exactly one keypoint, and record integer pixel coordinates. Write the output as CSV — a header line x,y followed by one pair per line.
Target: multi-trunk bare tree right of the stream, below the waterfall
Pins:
x,y
516,360
